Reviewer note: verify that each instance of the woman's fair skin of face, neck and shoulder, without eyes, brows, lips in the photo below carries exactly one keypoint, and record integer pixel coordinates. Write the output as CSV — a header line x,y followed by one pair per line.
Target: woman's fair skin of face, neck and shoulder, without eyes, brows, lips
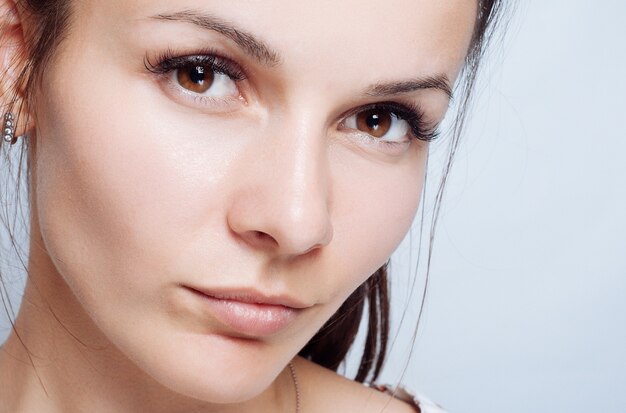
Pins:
x,y
138,188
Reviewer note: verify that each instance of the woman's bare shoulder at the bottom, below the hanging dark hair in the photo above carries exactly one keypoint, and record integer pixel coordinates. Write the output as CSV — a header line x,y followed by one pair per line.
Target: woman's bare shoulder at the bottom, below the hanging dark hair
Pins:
x,y
323,390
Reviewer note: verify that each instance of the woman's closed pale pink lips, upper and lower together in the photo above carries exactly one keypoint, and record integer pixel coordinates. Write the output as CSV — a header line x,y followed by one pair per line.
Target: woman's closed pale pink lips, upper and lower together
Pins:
x,y
248,312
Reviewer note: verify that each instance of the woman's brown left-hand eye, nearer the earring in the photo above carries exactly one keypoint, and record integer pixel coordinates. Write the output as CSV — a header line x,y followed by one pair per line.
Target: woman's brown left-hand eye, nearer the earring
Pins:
x,y
205,80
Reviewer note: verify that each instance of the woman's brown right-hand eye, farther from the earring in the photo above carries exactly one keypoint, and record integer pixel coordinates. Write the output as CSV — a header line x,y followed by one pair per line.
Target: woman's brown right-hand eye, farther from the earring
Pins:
x,y
380,123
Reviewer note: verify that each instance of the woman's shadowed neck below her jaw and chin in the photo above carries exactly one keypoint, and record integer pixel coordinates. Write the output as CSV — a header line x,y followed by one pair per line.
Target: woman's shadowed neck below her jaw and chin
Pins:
x,y
71,367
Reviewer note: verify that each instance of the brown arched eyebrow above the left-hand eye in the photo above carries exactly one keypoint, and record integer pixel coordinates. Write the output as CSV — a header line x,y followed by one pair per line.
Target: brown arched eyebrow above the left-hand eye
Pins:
x,y
251,45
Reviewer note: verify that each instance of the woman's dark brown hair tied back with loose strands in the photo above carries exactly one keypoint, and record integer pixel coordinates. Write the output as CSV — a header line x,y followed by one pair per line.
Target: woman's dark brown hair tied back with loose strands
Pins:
x,y
330,346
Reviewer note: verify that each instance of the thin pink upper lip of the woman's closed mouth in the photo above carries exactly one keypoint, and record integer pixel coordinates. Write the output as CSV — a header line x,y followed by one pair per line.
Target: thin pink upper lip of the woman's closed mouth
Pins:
x,y
250,296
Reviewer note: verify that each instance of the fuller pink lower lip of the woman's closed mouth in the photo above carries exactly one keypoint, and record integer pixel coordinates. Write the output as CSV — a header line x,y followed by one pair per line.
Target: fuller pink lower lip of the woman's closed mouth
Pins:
x,y
249,319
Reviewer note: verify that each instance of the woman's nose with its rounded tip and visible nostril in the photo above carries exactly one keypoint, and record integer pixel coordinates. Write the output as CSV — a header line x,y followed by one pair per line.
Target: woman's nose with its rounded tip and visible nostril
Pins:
x,y
282,203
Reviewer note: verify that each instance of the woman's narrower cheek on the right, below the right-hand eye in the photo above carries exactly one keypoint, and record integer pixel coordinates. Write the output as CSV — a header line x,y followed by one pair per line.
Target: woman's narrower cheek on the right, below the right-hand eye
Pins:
x,y
373,207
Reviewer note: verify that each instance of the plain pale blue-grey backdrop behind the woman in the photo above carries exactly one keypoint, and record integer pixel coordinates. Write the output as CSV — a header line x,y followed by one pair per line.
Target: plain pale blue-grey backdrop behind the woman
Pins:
x,y
526,306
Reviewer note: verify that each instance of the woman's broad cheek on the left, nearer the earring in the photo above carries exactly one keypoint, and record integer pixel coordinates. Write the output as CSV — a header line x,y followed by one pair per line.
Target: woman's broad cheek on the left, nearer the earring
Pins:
x,y
117,193
